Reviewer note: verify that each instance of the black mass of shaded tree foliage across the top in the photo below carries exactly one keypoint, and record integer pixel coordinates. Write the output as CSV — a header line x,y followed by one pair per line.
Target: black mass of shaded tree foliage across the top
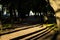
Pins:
x,y
24,7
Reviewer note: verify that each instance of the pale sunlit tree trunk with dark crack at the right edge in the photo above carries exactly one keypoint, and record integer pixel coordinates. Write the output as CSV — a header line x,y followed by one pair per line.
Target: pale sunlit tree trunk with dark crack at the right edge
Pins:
x,y
55,5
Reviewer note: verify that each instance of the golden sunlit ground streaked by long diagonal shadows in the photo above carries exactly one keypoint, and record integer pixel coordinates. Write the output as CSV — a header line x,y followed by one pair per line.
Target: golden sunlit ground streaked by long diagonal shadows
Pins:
x,y
30,30
